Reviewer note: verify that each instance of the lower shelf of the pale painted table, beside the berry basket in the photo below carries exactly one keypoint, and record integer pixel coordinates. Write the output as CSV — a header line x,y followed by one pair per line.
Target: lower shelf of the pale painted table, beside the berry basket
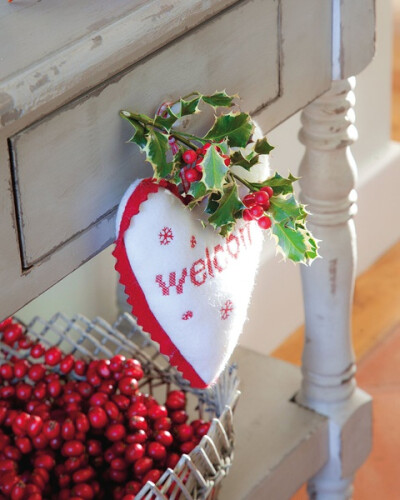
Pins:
x,y
279,444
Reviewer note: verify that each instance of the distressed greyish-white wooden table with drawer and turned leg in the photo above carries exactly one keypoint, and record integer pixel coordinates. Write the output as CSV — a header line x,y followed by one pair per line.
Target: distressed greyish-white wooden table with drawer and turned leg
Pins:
x,y
66,68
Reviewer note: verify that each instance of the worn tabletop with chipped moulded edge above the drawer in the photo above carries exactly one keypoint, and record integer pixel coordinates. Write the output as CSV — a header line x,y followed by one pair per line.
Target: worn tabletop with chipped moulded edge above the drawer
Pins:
x,y
45,62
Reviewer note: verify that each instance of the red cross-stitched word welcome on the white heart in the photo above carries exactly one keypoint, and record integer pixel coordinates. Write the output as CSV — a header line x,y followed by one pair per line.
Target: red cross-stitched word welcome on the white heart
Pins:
x,y
214,262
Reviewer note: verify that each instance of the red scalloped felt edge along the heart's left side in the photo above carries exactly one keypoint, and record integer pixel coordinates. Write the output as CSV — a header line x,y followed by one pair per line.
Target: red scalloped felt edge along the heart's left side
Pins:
x,y
136,297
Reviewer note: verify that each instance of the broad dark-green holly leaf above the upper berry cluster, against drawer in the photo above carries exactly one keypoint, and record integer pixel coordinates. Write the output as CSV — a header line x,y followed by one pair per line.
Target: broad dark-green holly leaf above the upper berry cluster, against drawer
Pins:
x,y
235,127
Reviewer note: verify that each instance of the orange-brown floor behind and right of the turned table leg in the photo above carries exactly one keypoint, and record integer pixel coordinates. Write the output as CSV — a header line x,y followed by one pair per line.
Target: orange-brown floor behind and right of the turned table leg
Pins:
x,y
376,338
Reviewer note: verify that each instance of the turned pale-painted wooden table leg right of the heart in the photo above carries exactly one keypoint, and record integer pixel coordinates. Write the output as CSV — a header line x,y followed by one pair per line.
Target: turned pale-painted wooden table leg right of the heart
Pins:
x,y
328,175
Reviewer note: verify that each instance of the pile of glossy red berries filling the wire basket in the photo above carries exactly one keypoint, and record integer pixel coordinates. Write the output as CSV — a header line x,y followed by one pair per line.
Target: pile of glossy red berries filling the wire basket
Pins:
x,y
92,436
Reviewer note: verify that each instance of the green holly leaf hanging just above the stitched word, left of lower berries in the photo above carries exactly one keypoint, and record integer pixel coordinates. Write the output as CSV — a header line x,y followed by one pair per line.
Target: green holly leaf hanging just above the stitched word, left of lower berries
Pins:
x,y
224,217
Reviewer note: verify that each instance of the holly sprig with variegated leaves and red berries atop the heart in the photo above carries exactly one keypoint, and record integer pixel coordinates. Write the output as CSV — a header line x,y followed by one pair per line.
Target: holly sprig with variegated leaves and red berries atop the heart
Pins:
x,y
201,167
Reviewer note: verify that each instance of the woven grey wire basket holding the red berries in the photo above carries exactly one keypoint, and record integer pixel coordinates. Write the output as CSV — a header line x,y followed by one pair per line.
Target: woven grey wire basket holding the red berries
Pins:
x,y
197,475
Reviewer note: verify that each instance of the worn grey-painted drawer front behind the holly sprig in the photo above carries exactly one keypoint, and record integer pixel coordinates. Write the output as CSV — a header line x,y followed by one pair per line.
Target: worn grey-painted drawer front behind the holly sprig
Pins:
x,y
71,168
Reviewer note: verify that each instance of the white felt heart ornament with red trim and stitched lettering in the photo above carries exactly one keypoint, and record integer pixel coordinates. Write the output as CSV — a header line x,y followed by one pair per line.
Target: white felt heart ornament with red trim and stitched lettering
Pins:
x,y
189,287
